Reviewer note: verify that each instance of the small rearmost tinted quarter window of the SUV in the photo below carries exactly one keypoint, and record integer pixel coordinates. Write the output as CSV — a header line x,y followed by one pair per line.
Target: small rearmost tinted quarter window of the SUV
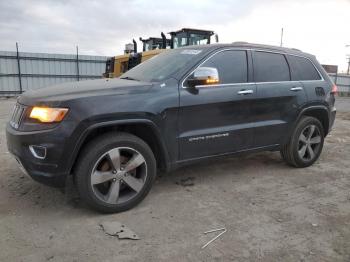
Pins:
x,y
303,69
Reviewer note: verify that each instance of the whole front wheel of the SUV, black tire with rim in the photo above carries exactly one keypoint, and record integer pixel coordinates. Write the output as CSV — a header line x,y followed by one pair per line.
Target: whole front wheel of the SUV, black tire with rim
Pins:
x,y
115,172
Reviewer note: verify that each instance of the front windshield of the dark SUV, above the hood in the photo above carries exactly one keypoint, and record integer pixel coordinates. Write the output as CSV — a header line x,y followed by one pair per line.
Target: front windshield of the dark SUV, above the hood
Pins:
x,y
161,66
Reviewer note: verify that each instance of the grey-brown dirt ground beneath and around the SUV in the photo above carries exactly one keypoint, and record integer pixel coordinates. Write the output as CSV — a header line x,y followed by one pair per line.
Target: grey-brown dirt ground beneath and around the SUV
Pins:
x,y
272,212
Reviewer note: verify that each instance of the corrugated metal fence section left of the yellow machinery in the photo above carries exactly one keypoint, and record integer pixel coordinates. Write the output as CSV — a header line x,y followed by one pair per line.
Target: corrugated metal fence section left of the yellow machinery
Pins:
x,y
21,71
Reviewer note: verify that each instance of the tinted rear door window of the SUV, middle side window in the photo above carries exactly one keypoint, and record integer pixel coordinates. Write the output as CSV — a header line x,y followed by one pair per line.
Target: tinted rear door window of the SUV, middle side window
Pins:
x,y
270,67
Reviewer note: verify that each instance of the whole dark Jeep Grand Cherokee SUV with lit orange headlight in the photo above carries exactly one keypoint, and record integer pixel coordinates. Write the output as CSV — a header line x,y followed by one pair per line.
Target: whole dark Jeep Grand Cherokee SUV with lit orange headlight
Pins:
x,y
181,106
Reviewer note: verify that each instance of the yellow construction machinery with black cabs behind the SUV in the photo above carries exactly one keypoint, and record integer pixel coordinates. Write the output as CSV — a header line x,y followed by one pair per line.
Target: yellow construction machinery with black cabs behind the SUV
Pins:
x,y
117,65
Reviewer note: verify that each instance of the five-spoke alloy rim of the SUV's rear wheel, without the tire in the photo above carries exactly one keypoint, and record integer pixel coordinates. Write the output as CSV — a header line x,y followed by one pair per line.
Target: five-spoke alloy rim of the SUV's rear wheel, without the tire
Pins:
x,y
309,143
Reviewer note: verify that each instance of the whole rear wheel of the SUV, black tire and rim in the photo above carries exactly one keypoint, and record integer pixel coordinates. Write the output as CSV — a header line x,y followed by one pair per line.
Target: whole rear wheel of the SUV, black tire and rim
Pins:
x,y
307,136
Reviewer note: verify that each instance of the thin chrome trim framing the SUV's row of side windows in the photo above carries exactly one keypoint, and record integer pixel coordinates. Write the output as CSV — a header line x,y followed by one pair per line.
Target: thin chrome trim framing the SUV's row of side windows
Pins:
x,y
252,83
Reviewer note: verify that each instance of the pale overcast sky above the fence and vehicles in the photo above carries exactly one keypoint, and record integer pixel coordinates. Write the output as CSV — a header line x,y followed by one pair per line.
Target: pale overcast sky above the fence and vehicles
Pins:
x,y
321,27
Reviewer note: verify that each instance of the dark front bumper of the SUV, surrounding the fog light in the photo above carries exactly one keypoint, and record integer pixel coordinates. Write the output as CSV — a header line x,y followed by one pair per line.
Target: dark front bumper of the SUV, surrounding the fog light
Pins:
x,y
49,171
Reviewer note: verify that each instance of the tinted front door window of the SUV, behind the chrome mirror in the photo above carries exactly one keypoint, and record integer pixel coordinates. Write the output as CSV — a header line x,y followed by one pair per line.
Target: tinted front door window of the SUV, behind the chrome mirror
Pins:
x,y
231,66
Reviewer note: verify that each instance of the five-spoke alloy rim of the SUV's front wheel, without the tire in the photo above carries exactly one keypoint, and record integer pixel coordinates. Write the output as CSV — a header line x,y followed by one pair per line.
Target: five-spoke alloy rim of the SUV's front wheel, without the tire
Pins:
x,y
119,175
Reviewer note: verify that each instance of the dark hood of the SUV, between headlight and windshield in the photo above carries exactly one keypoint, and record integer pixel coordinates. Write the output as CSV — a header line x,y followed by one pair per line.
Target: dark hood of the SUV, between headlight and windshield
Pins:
x,y
74,90
